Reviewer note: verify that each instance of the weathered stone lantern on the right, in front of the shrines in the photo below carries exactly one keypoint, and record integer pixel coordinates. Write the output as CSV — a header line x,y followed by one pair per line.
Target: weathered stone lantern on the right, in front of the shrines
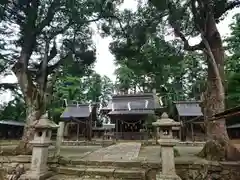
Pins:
x,y
167,143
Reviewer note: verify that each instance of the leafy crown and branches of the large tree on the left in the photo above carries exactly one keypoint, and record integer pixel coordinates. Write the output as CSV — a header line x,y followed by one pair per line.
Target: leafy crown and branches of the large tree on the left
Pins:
x,y
53,44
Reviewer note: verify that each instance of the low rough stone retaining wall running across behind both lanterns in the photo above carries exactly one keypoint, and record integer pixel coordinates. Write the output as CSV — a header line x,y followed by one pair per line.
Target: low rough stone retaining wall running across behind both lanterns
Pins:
x,y
187,169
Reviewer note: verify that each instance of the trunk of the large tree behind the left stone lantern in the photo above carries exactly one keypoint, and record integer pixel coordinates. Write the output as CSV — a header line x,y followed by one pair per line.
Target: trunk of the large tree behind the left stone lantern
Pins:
x,y
34,102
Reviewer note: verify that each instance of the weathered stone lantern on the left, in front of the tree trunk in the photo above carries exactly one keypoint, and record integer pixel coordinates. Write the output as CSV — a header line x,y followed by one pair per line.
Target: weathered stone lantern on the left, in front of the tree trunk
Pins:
x,y
41,142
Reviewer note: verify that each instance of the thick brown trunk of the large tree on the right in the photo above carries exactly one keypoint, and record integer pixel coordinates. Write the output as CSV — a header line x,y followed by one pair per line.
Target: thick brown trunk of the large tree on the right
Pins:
x,y
218,146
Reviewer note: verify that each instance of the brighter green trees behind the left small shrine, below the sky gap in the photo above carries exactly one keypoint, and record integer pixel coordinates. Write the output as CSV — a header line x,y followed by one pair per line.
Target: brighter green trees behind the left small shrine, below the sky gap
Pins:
x,y
86,89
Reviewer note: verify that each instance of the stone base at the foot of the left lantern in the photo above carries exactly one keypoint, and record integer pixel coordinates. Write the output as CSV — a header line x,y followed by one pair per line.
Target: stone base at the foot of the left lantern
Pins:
x,y
36,176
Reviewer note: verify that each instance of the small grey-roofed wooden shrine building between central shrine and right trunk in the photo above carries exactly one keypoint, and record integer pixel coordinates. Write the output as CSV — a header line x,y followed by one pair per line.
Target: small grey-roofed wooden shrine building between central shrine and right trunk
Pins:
x,y
190,115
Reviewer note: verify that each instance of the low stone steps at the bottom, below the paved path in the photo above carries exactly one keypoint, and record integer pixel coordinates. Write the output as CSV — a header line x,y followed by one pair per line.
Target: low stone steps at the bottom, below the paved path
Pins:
x,y
110,172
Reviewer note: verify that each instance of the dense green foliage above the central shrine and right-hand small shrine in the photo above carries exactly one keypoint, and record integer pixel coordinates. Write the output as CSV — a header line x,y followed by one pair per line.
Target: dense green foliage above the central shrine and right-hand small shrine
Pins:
x,y
146,60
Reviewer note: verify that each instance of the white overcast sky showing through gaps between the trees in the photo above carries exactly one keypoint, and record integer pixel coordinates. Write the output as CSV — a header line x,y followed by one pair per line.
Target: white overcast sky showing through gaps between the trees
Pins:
x,y
105,60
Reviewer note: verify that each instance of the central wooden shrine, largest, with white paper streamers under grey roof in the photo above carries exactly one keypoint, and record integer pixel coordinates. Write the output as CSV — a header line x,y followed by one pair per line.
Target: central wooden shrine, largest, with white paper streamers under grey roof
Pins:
x,y
129,113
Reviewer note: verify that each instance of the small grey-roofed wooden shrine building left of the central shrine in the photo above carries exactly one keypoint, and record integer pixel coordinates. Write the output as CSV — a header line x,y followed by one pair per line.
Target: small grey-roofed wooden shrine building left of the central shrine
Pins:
x,y
79,120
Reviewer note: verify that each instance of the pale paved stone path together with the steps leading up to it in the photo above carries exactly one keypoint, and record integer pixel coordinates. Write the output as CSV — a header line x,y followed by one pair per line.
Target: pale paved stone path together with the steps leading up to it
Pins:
x,y
118,161
